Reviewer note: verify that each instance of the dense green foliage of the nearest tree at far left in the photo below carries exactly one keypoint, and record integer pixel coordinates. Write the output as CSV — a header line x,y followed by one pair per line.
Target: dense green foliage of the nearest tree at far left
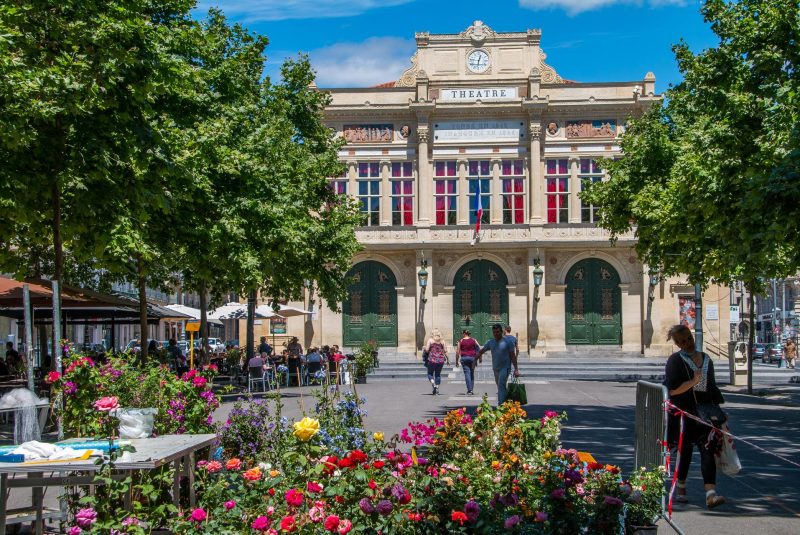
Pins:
x,y
80,88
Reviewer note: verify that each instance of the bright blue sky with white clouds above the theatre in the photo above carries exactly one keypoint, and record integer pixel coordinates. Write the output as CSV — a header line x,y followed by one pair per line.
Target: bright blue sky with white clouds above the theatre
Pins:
x,y
358,43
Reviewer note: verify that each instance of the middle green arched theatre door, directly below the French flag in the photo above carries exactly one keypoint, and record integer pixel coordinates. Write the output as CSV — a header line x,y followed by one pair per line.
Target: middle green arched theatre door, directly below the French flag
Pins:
x,y
480,299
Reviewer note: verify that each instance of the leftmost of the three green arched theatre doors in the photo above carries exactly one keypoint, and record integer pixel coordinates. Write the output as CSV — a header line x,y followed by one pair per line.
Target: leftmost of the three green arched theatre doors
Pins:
x,y
370,311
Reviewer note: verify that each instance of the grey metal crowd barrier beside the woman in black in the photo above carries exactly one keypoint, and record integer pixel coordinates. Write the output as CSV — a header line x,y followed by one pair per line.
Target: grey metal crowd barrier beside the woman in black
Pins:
x,y
650,434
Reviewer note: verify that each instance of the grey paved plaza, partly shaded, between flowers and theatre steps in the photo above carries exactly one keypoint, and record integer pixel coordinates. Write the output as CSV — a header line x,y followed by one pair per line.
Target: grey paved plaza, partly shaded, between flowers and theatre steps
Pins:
x,y
764,497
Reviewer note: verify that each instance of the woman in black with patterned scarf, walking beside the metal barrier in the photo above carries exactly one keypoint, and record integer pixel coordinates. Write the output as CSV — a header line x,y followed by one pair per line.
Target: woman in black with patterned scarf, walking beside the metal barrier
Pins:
x,y
689,376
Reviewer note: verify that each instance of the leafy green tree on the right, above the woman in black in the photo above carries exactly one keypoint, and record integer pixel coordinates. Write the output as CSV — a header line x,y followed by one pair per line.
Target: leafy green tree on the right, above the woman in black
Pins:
x,y
710,180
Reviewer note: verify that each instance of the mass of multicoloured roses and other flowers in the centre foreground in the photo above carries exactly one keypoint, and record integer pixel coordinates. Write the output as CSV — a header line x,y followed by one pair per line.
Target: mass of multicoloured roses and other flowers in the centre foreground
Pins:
x,y
496,472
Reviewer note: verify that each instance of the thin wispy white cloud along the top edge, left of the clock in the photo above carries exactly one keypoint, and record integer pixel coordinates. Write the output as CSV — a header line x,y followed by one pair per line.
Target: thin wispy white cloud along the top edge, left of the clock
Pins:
x,y
266,10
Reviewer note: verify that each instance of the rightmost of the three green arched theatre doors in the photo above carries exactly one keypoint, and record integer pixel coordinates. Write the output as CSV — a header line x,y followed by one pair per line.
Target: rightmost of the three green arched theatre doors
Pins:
x,y
593,304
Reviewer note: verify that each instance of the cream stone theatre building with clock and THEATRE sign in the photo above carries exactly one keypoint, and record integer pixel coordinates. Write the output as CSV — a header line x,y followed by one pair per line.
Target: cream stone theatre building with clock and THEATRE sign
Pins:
x,y
481,114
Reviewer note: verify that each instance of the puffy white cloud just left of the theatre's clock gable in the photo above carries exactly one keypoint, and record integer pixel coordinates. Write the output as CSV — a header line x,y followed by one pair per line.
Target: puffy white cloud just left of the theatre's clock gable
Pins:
x,y
370,62
